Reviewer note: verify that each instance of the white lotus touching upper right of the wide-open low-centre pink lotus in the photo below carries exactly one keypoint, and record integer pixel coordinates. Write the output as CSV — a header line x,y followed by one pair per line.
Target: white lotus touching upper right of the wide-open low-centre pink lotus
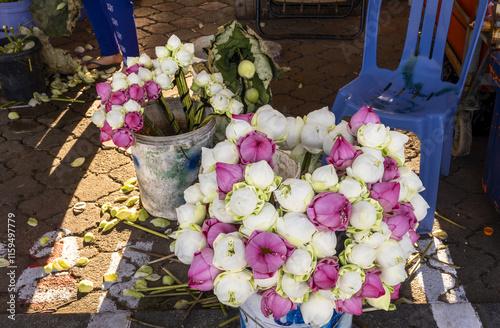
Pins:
x,y
296,228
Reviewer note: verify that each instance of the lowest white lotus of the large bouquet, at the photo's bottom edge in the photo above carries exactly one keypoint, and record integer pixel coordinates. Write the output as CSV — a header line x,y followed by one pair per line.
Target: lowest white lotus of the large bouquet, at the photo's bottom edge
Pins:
x,y
317,311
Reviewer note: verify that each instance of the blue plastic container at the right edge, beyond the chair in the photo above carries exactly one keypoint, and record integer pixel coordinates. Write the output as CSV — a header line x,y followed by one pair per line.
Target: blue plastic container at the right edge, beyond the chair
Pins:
x,y
491,174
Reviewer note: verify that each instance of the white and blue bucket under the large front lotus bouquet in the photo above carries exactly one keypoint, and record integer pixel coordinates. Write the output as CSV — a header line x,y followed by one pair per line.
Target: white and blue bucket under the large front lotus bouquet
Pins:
x,y
252,317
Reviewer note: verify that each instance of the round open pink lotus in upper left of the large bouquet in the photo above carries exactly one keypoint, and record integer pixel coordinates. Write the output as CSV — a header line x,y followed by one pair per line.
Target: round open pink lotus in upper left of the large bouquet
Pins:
x,y
255,147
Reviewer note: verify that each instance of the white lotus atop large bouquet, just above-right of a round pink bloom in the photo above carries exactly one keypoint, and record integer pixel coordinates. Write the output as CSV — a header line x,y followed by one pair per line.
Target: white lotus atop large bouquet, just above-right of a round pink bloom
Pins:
x,y
271,122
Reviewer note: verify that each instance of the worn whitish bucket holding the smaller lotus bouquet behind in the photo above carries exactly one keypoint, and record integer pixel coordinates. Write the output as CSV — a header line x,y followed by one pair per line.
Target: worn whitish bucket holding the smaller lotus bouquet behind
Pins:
x,y
166,166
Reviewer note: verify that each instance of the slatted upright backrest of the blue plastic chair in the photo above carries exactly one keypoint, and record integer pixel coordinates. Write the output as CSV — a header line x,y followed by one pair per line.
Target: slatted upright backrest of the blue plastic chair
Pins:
x,y
425,39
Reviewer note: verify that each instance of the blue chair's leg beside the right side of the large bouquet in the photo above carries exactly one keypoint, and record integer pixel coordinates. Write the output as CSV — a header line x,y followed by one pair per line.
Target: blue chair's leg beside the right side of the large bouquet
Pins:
x,y
430,164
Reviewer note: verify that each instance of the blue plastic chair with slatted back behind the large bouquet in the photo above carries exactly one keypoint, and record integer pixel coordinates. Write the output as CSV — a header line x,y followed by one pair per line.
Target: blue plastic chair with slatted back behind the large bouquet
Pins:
x,y
413,97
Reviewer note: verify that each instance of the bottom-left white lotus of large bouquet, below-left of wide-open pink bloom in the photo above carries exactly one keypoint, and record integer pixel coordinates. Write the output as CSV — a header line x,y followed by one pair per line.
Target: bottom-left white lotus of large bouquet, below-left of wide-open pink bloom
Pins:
x,y
234,288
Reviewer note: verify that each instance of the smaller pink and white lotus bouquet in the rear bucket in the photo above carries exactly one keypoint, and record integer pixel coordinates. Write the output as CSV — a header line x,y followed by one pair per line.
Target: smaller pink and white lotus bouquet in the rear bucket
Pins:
x,y
121,113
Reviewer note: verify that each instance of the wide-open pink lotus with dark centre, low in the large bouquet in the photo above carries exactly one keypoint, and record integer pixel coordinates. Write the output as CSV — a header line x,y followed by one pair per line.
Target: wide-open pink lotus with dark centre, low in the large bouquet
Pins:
x,y
266,252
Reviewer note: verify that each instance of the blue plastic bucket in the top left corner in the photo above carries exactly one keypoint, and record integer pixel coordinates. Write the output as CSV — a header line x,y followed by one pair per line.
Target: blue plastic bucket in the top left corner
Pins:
x,y
14,13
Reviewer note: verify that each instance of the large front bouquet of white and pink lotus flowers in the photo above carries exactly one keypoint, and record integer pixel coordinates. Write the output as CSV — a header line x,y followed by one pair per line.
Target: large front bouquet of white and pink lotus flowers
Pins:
x,y
332,240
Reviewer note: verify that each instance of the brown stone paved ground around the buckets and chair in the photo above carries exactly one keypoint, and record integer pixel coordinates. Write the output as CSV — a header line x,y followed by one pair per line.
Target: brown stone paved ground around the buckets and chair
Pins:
x,y
37,180
